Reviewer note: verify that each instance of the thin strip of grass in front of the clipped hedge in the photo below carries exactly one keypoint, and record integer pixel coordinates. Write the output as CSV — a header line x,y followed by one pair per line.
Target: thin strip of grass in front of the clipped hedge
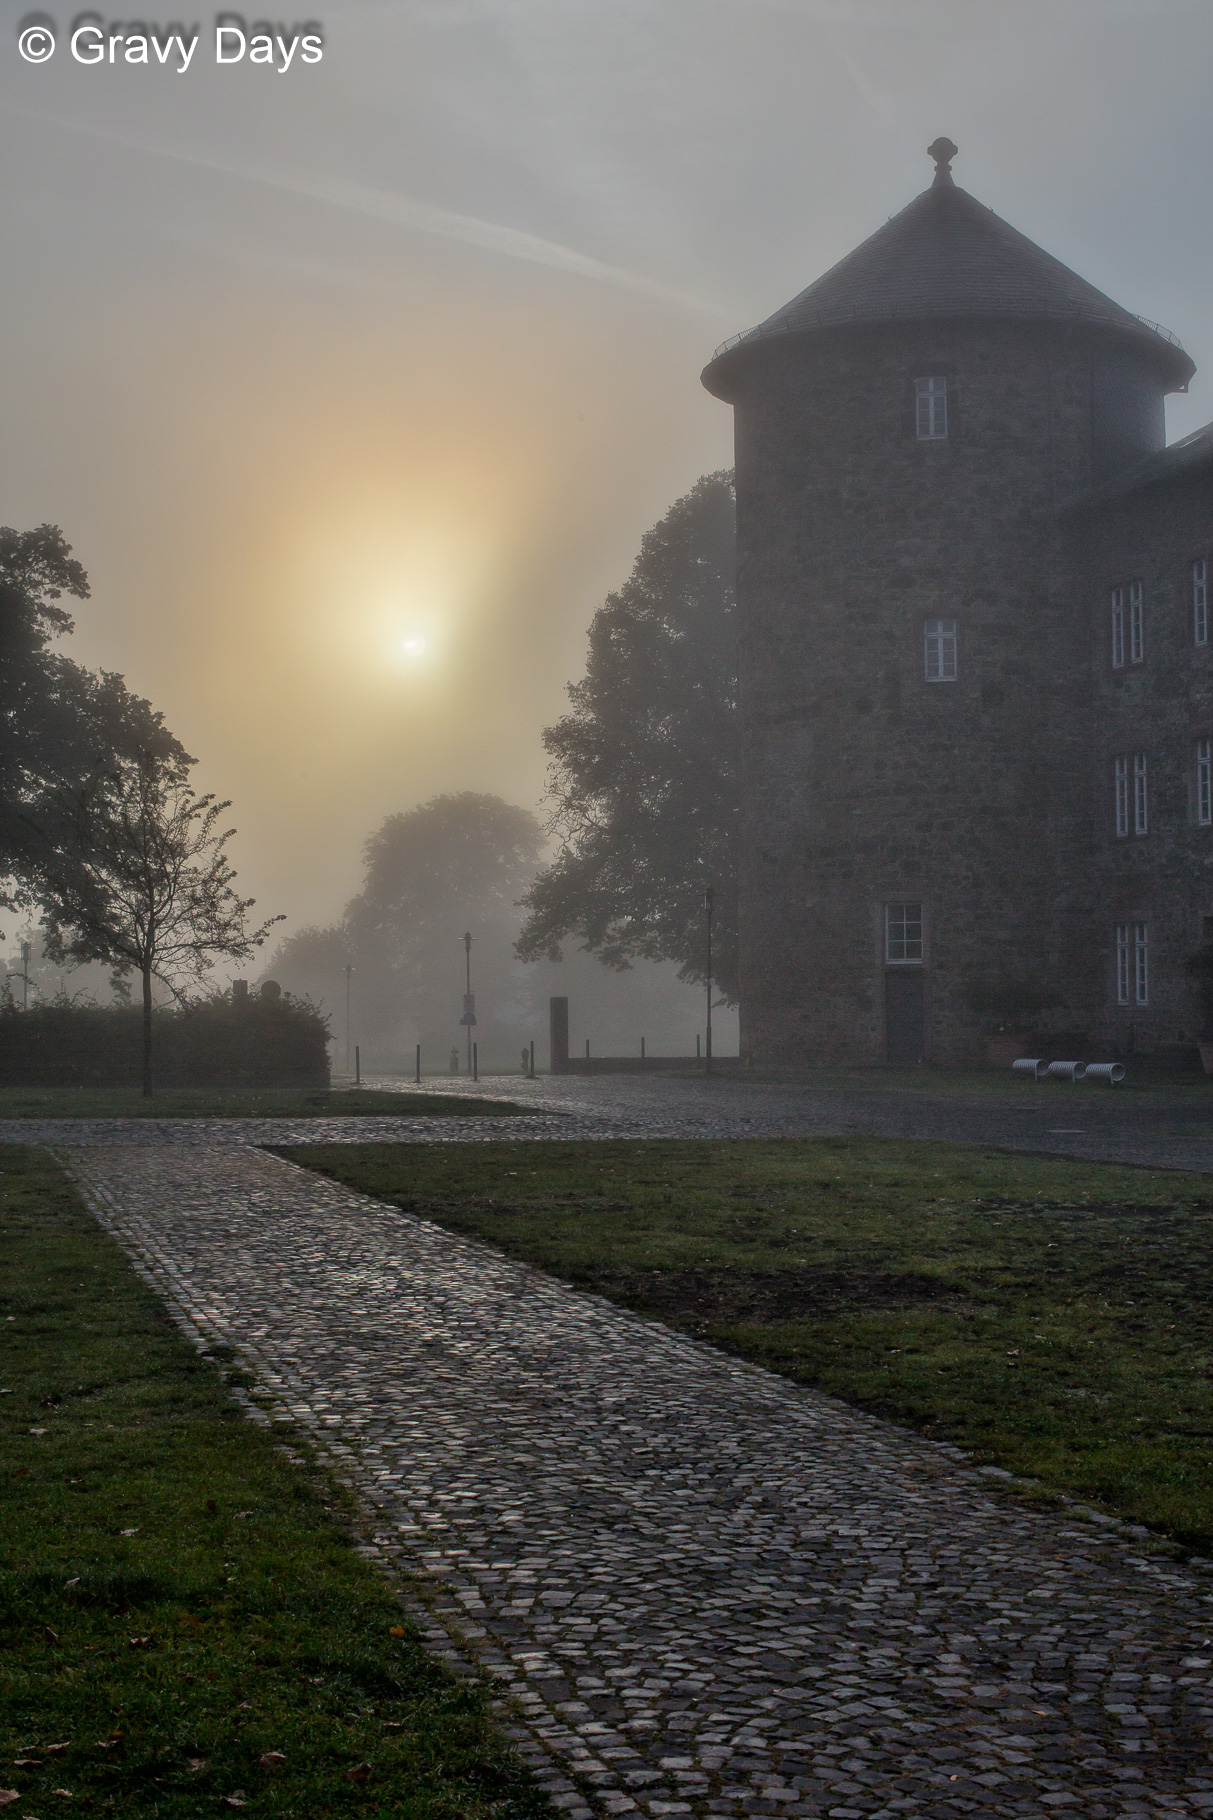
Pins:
x,y
238,1104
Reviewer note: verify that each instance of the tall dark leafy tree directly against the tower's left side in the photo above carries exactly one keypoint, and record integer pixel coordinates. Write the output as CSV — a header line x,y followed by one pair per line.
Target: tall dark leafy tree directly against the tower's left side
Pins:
x,y
646,767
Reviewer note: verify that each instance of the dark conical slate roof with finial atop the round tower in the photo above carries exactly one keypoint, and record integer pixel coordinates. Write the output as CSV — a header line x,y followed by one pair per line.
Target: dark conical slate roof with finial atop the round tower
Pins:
x,y
948,256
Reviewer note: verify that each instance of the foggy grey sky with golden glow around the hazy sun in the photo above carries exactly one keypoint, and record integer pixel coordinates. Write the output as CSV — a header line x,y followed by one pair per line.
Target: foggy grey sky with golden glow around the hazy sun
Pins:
x,y
409,343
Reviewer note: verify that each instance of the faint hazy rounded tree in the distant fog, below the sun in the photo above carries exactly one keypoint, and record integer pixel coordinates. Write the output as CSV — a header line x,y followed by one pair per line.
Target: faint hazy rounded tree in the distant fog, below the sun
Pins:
x,y
454,864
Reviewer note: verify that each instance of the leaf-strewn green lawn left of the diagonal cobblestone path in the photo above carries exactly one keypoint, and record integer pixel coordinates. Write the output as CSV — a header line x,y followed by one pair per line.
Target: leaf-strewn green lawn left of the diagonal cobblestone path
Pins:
x,y
185,1623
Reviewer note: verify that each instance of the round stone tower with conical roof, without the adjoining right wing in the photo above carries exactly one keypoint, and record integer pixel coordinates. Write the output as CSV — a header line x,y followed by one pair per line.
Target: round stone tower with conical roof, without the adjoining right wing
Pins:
x,y
915,671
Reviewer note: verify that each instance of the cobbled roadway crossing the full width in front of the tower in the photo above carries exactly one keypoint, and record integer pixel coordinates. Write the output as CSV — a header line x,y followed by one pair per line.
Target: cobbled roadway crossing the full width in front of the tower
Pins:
x,y
1159,1129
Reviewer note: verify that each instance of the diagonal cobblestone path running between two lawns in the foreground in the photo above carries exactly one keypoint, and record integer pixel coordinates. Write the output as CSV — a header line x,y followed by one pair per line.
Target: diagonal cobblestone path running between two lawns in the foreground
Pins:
x,y
706,1590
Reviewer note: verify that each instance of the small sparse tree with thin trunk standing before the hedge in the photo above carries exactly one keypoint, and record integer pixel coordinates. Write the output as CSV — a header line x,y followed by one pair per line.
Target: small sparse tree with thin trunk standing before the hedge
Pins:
x,y
138,876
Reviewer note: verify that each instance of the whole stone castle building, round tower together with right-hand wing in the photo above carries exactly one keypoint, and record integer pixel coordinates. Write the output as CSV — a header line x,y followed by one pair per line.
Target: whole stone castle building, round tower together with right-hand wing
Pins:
x,y
975,678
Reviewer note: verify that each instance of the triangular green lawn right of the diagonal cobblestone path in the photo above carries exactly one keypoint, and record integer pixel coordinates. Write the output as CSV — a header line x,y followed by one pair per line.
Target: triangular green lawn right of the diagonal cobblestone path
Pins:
x,y
1052,1317
